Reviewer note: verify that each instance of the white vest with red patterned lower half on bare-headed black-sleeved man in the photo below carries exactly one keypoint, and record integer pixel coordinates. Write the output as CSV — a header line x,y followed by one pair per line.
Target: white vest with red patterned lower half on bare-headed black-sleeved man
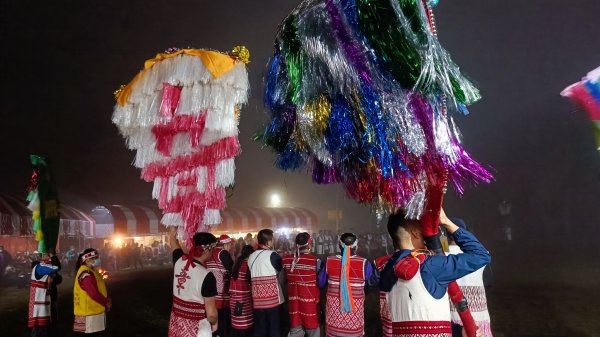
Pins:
x,y
259,264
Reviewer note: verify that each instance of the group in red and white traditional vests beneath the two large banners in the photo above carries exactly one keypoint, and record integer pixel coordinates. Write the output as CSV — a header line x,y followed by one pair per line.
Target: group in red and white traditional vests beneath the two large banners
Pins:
x,y
225,287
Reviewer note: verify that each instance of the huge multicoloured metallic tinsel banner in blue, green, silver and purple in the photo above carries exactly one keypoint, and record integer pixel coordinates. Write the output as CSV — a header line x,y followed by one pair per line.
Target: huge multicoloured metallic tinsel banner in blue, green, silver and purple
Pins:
x,y
359,91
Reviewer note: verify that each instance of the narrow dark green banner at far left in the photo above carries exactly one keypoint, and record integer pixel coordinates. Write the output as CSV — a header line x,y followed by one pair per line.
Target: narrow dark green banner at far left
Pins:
x,y
43,202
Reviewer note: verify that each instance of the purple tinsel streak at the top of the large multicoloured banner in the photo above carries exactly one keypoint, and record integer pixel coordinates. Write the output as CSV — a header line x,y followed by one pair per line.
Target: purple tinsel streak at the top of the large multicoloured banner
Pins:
x,y
351,49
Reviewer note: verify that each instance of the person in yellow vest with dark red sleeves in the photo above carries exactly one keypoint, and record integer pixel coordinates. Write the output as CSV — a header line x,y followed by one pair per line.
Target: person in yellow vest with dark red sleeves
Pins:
x,y
89,295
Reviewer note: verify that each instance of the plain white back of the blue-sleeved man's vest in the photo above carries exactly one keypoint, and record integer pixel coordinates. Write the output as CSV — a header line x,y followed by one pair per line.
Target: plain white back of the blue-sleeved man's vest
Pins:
x,y
409,301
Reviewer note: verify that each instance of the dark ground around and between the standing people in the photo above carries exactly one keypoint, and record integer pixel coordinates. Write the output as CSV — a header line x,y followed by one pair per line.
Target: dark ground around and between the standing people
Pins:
x,y
553,302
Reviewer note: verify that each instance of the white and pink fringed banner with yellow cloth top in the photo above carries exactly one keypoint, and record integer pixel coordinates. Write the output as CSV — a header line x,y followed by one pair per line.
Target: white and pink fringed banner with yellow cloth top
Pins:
x,y
180,114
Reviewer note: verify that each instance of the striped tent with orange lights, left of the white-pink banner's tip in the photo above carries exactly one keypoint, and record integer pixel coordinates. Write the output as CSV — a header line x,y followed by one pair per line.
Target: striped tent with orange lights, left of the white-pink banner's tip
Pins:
x,y
127,220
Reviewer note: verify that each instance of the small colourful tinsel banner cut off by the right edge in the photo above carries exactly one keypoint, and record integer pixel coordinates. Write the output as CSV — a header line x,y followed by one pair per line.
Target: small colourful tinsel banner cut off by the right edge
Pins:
x,y
586,93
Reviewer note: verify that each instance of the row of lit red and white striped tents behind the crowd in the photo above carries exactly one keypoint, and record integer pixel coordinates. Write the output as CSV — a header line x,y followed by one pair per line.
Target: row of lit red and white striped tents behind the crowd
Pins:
x,y
120,224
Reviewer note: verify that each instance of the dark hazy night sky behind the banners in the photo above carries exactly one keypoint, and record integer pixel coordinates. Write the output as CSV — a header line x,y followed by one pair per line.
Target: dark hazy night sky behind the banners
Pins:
x,y
62,60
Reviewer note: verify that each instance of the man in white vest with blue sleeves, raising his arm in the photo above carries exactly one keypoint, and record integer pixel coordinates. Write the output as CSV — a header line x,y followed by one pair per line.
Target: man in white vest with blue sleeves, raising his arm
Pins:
x,y
417,280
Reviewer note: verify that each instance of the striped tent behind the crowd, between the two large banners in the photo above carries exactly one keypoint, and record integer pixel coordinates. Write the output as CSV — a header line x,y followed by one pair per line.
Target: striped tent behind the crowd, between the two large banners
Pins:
x,y
251,220
